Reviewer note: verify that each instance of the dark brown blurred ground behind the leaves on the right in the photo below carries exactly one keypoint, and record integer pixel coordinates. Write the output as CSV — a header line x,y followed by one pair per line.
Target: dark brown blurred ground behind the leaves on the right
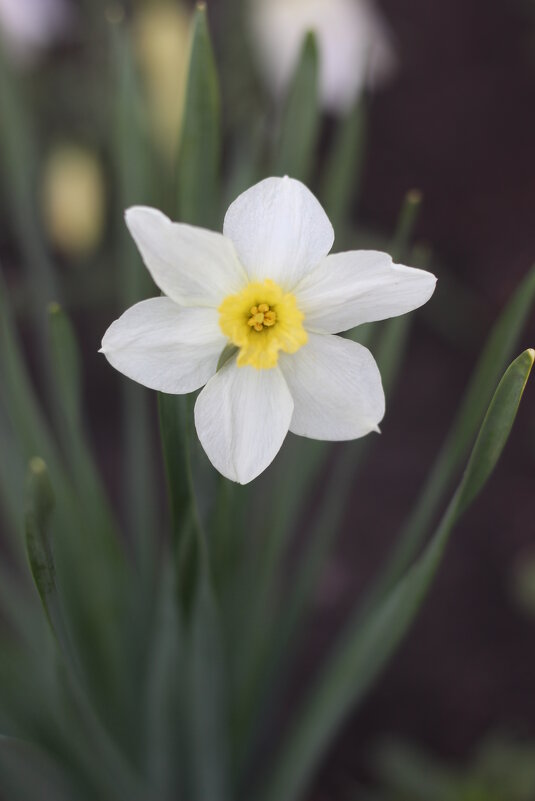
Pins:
x,y
458,122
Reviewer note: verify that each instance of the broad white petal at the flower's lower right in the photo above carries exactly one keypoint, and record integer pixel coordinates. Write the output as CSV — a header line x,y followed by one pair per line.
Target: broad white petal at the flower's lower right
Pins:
x,y
336,387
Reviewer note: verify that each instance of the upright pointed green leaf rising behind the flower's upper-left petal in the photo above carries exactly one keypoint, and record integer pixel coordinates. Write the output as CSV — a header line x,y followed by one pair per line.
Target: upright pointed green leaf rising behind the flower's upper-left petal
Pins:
x,y
200,147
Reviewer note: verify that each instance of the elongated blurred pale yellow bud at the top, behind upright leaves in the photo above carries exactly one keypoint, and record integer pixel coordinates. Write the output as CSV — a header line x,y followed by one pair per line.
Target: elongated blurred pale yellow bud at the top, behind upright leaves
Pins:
x,y
161,36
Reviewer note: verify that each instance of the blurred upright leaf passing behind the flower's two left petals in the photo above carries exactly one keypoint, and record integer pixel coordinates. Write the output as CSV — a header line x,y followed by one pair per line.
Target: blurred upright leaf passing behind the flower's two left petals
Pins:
x,y
132,163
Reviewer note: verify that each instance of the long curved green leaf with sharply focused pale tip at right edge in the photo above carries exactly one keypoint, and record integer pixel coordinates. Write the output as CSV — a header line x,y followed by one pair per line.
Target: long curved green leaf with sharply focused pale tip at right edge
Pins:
x,y
365,646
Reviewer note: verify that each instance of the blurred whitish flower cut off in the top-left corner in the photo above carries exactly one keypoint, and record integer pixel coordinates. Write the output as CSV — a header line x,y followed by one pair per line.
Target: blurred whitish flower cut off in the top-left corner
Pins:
x,y
28,26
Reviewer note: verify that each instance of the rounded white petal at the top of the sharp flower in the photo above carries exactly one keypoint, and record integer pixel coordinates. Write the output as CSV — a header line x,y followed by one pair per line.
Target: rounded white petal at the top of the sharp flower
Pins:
x,y
280,230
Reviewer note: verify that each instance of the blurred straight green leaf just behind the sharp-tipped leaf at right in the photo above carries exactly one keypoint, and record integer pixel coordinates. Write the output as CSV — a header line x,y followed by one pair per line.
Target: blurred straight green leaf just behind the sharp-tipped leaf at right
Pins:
x,y
491,364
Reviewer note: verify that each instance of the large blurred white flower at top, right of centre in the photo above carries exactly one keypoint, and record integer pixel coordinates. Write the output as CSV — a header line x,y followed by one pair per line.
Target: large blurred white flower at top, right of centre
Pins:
x,y
354,45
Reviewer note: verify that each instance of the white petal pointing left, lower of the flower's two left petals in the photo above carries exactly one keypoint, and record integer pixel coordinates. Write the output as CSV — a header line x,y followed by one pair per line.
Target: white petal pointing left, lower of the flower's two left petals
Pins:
x,y
164,346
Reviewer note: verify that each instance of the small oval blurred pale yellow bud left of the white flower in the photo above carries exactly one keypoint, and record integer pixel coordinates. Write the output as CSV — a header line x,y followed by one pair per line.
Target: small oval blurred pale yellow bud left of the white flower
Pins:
x,y
73,199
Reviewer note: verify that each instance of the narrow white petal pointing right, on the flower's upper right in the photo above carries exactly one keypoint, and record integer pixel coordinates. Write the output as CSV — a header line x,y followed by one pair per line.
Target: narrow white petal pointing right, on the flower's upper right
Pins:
x,y
361,286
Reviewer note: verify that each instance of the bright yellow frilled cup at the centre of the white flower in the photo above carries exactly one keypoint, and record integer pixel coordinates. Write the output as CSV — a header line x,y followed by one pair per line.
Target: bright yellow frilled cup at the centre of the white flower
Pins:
x,y
261,321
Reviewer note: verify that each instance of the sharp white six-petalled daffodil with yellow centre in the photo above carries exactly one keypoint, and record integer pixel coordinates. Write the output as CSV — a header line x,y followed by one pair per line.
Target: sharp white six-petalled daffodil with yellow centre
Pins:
x,y
268,287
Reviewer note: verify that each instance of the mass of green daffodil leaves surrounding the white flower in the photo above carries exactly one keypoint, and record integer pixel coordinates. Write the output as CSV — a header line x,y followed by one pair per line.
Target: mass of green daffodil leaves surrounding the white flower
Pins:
x,y
158,663
